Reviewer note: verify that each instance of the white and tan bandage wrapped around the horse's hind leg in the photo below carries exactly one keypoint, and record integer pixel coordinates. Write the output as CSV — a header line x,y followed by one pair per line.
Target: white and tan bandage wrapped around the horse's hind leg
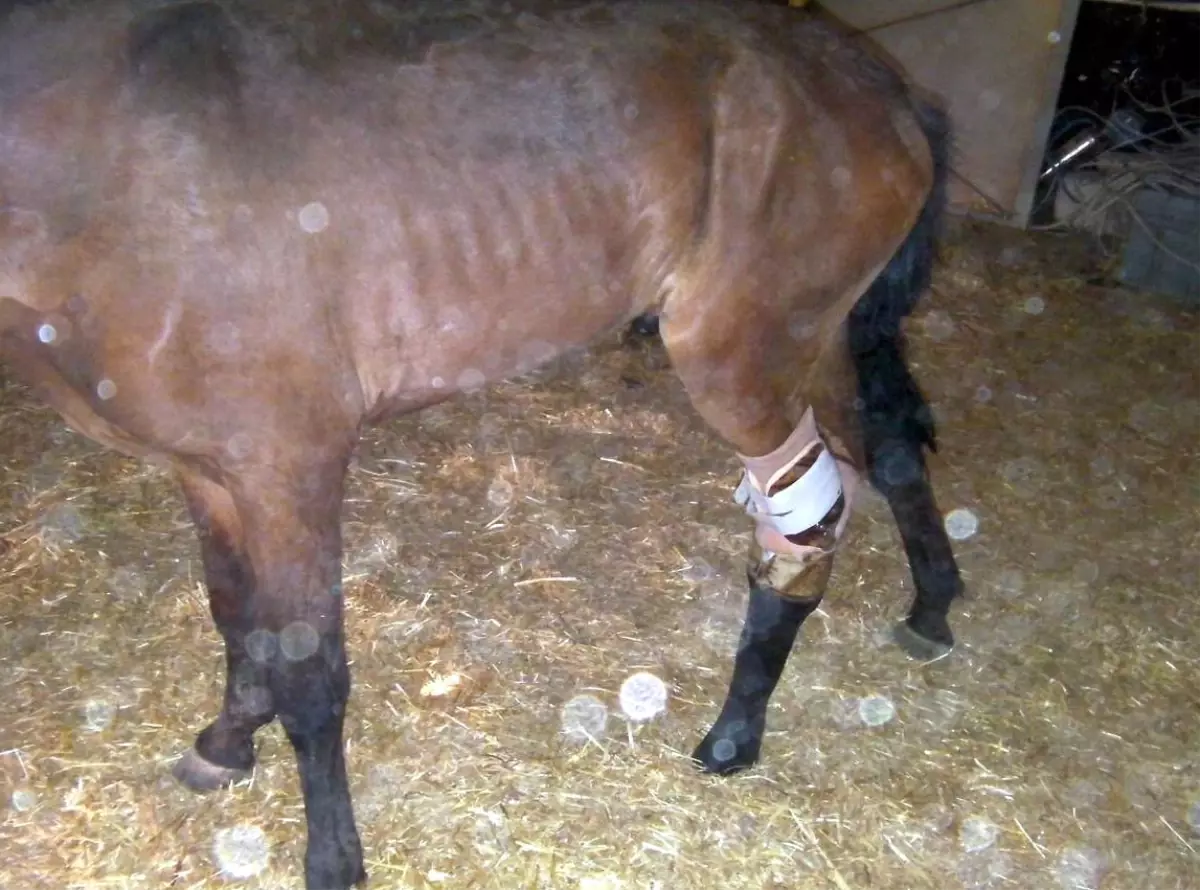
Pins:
x,y
800,497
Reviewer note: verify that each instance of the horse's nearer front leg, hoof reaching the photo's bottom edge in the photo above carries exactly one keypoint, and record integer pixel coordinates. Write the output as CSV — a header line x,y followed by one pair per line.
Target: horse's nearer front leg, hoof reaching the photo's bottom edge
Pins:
x,y
291,519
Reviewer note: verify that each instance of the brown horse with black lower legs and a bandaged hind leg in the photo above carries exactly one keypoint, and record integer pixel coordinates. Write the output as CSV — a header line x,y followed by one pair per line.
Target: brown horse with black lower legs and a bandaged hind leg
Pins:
x,y
233,233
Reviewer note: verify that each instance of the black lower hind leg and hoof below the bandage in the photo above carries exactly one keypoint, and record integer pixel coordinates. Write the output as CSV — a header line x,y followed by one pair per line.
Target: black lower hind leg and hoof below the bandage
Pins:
x,y
769,635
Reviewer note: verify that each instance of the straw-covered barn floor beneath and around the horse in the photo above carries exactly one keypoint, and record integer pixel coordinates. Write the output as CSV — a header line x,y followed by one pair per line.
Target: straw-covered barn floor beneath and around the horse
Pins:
x,y
550,538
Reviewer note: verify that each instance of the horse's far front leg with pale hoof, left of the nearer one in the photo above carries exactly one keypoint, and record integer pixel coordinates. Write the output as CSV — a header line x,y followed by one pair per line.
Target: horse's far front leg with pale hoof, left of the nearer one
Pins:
x,y
225,750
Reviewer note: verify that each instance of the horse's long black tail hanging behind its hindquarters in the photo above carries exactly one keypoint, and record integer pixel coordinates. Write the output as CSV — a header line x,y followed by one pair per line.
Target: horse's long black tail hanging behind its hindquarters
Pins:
x,y
892,408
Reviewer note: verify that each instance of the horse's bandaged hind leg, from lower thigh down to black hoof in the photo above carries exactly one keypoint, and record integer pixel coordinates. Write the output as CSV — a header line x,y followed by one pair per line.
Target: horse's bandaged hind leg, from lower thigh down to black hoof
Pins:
x,y
740,366
